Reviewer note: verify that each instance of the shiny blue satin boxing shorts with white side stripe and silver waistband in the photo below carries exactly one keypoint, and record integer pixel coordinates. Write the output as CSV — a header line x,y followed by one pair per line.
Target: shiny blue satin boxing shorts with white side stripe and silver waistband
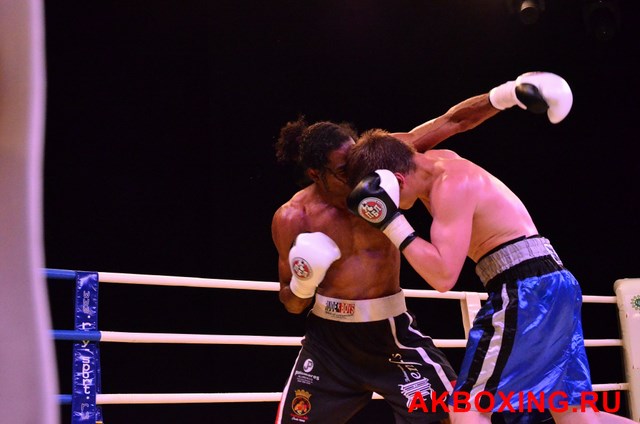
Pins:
x,y
526,348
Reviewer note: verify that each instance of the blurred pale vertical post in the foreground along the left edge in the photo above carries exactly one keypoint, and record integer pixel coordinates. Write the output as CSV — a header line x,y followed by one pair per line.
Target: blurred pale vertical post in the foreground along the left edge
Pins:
x,y
28,378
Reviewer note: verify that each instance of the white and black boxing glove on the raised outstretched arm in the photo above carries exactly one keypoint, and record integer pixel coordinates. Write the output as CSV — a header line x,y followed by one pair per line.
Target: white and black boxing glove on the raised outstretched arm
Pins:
x,y
537,92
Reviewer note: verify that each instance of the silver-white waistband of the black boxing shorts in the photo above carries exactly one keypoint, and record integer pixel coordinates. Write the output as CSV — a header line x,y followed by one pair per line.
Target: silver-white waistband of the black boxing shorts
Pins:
x,y
359,310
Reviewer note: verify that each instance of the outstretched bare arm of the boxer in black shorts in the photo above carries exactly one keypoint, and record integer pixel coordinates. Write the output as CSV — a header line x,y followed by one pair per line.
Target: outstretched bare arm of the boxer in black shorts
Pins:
x,y
462,117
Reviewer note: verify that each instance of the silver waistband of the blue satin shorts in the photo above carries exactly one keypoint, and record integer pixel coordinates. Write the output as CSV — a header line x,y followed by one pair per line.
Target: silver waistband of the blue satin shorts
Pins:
x,y
512,255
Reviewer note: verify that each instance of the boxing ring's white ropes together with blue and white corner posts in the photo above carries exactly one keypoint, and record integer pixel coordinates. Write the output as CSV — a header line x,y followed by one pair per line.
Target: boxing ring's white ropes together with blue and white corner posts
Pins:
x,y
86,396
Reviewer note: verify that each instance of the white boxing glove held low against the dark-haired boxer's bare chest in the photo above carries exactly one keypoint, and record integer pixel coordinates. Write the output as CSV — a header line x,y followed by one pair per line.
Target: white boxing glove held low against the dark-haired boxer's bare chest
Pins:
x,y
309,259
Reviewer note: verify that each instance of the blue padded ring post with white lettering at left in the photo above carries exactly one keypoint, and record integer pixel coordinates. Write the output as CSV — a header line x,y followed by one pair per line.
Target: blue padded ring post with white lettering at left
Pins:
x,y
86,353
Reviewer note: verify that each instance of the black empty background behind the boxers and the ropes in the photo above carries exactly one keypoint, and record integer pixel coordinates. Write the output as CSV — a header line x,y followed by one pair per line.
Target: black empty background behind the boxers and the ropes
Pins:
x,y
161,120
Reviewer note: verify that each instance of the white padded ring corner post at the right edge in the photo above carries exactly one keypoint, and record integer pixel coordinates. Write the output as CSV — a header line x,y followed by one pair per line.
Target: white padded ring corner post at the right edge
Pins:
x,y
628,298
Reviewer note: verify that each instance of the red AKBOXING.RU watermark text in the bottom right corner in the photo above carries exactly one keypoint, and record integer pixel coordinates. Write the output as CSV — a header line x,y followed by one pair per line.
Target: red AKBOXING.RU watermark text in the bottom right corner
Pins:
x,y
514,402
